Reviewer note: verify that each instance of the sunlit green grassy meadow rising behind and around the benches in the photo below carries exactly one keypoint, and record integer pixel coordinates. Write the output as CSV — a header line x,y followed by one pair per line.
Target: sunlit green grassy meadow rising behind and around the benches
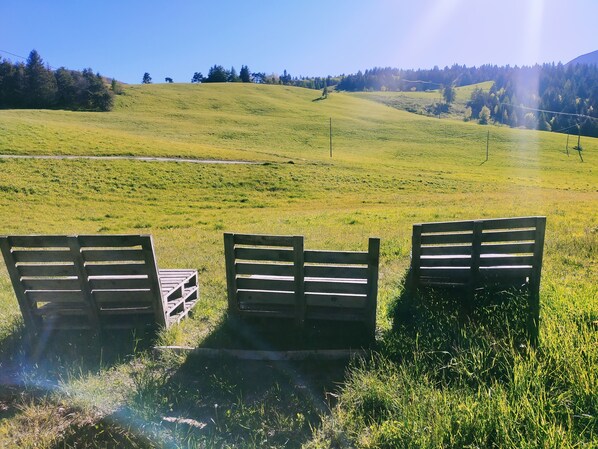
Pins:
x,y
389,169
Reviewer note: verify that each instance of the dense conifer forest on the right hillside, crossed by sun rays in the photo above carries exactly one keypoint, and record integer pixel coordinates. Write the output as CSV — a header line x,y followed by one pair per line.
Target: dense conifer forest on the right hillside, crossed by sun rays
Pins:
x,y
550,97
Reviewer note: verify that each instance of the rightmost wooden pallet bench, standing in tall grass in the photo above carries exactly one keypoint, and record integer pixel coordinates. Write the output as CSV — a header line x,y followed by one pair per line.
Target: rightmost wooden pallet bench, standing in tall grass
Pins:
x,y
474,254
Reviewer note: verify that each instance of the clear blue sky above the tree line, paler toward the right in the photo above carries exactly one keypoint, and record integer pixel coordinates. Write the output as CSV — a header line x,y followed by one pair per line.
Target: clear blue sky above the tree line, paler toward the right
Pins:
x,y
175,38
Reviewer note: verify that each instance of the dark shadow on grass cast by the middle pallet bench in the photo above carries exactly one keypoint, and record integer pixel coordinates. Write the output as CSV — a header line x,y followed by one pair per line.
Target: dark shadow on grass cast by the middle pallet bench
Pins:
x,y
198,401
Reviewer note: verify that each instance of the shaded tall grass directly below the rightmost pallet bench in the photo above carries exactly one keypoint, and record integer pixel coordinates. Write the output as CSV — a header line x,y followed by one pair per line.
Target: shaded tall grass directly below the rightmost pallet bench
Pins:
x,y
455,339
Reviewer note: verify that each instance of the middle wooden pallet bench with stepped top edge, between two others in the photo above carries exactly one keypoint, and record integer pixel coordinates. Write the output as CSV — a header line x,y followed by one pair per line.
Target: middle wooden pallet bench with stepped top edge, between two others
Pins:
x,y
273,276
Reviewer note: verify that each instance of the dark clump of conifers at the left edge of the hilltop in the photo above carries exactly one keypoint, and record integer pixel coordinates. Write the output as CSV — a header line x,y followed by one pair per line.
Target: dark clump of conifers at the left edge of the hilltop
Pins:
x,y
34,85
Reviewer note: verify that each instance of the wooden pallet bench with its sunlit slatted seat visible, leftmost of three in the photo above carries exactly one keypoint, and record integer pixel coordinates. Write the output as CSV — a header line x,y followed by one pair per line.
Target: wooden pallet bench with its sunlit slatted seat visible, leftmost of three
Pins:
x,y
95,282
